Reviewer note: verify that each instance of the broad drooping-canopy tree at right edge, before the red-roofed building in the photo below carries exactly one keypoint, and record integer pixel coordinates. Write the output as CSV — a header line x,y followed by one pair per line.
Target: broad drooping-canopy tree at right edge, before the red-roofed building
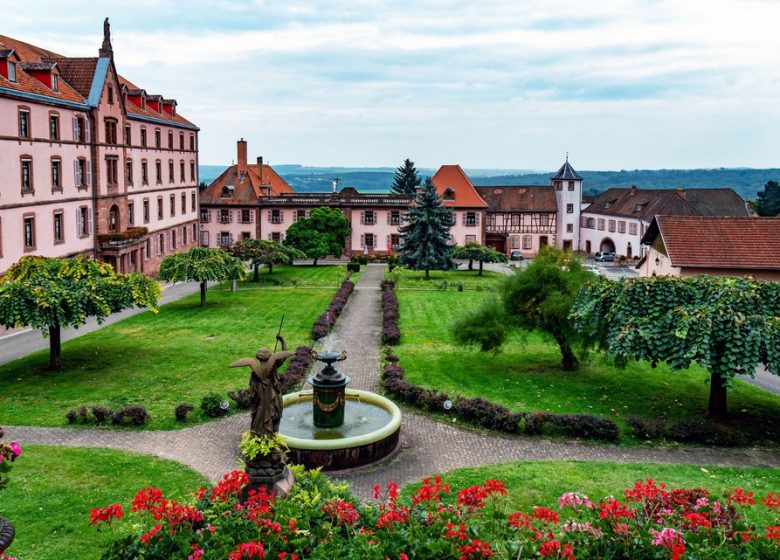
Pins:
x,y
727,325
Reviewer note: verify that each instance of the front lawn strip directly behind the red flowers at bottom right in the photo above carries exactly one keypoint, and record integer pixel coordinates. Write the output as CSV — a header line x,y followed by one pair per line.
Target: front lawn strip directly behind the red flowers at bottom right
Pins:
x,y
540,483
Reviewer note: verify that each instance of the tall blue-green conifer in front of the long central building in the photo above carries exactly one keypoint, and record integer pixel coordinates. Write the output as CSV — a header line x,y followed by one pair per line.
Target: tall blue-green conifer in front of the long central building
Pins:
x,y
426,235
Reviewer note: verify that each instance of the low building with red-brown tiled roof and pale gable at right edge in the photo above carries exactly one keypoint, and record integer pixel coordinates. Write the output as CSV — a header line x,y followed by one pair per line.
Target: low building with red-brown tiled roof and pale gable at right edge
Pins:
x,y
720,246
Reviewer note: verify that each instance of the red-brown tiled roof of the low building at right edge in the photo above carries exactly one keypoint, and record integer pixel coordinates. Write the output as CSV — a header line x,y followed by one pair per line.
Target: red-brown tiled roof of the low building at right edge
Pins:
x,y
719,242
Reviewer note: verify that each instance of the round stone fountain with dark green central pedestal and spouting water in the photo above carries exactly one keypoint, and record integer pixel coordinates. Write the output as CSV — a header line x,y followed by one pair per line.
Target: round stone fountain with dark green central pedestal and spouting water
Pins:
x,y
334,427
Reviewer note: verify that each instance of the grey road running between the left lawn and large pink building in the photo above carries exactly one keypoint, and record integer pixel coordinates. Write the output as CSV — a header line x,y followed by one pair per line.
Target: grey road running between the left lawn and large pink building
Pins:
x,y
19,344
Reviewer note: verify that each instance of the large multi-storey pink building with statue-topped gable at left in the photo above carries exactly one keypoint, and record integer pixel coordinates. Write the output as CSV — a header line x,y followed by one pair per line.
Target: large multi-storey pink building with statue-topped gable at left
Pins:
x,y
102,167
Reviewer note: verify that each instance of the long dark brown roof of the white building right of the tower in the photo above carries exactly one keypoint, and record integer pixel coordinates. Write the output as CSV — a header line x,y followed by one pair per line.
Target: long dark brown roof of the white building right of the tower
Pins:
x,y
645,204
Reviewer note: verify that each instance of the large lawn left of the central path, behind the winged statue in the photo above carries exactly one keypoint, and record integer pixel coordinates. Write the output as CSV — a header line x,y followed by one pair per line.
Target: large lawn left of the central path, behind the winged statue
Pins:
x,y
160,361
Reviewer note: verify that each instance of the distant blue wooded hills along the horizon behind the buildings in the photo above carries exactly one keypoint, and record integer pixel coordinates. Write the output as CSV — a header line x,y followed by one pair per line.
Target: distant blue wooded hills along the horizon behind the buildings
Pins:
x,y
745,181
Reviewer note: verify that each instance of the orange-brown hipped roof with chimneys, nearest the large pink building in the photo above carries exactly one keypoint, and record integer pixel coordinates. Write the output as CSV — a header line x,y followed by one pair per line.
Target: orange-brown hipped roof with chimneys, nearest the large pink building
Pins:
x,y
247,191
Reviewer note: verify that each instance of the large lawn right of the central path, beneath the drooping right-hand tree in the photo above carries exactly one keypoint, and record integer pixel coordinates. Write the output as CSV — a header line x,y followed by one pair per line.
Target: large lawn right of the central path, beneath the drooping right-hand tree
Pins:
x,y
527,376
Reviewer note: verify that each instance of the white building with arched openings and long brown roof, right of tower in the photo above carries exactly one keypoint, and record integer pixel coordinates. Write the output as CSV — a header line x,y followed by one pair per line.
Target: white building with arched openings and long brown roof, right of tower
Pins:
x,y
617,219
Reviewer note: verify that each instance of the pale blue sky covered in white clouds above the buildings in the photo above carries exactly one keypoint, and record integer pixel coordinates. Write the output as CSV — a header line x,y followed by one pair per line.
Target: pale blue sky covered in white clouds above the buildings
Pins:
x,y
619,84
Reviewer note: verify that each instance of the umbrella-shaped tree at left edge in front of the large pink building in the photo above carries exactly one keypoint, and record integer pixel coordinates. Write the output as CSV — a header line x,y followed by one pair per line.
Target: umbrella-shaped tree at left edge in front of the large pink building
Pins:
x,y
50,294
